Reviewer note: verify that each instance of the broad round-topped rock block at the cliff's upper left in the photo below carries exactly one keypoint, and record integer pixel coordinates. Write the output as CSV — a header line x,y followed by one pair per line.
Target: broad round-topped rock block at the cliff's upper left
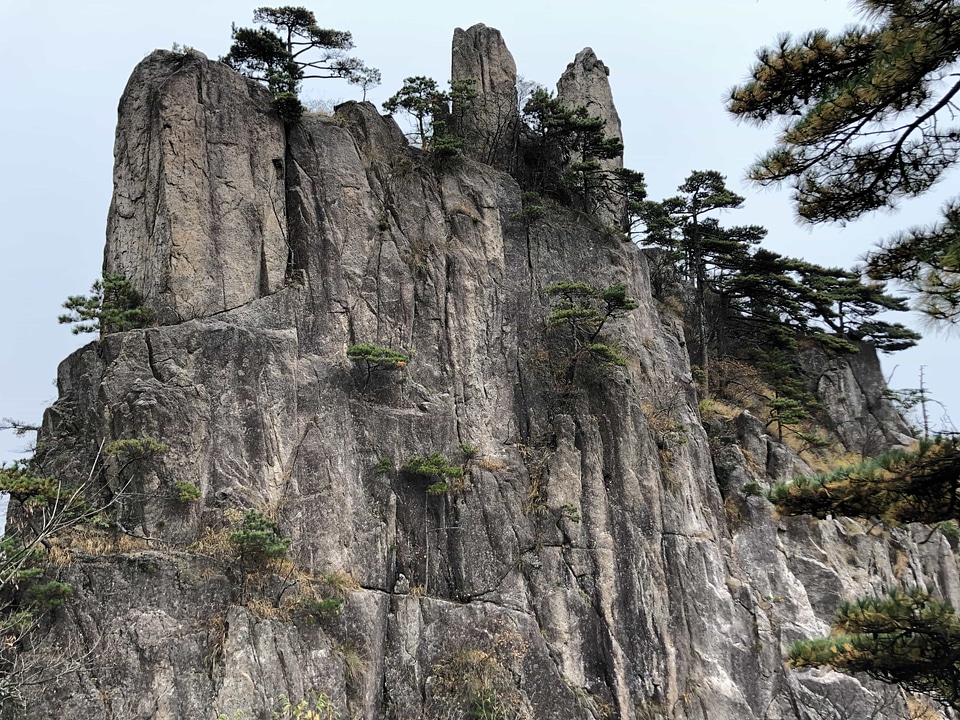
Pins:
x,y
197,217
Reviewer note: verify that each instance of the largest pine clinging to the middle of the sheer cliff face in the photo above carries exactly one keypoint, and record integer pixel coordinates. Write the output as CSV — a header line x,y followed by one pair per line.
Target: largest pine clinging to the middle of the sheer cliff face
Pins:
x,y
579,316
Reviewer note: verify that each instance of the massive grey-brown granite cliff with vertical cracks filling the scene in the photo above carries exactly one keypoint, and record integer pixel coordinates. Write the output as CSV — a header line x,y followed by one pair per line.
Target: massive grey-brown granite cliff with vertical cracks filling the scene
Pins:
x,y
596,558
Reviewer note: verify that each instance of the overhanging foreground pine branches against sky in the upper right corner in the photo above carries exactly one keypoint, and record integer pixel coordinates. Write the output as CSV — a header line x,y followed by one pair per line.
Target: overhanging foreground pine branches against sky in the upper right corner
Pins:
x,y
868,118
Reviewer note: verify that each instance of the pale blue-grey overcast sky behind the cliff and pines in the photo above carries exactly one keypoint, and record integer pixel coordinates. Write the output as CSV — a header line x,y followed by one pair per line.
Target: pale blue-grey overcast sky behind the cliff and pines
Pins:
x,y
671,64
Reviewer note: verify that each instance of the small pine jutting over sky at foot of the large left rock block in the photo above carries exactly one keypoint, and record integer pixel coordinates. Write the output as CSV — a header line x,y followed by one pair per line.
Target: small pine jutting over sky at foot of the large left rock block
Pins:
x,y
112,306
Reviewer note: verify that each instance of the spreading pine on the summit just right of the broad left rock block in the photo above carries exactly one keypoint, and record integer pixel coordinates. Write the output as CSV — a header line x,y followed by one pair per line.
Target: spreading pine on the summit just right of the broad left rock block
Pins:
x,y
293,49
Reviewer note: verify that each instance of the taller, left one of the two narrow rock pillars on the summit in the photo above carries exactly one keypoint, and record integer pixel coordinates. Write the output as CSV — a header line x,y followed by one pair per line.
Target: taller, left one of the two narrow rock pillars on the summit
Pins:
x,y
487,123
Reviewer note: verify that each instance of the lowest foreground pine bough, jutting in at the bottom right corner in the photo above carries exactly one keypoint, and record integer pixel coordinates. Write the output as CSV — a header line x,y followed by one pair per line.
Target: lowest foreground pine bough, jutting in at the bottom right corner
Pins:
x,y
906,637
